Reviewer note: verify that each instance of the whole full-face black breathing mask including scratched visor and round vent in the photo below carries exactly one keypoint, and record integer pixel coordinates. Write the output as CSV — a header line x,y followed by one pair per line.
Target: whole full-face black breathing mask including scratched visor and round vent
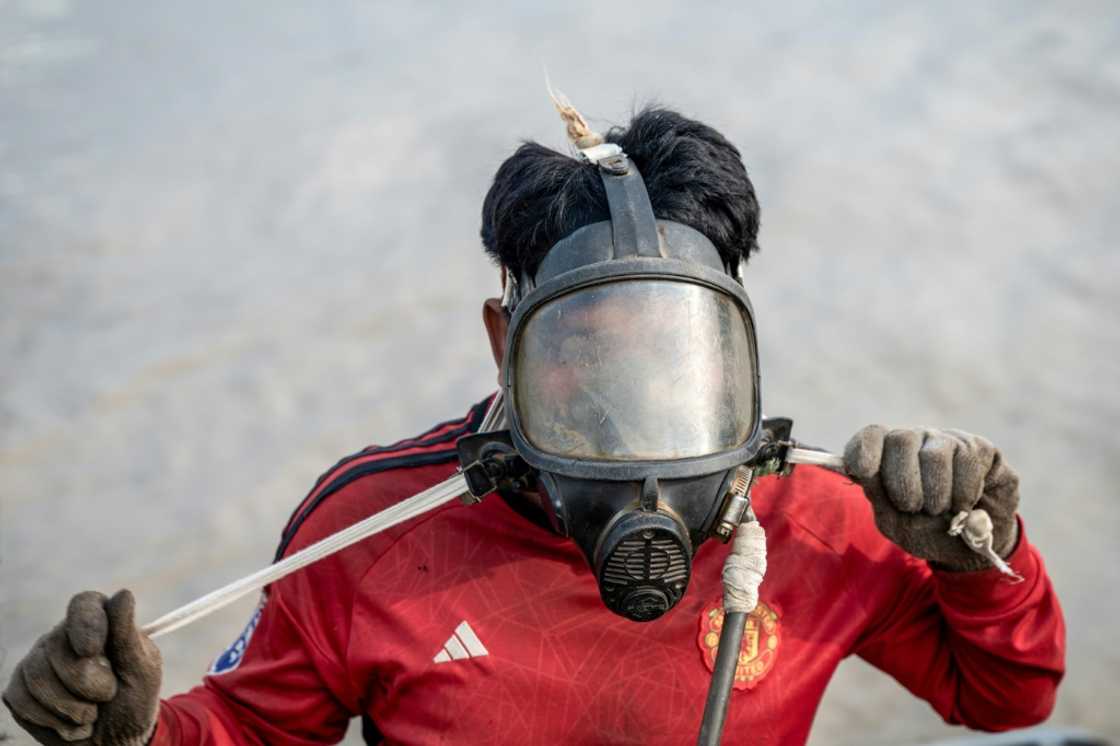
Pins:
x,y
631,377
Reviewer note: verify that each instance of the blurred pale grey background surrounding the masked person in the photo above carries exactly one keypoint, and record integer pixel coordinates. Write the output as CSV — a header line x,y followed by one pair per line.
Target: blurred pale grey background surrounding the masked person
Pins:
x,y
239,241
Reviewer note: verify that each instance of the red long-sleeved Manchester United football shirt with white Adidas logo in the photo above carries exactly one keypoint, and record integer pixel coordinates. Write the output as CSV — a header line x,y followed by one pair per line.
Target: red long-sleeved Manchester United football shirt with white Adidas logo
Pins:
x,y
475,624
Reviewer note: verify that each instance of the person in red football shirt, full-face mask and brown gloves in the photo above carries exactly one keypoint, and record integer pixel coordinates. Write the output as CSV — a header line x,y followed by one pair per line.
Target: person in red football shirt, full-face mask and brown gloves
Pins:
x,y
586,610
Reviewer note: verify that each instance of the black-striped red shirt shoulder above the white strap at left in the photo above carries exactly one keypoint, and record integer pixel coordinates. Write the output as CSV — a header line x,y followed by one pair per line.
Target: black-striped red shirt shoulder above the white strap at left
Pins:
x,y
375,479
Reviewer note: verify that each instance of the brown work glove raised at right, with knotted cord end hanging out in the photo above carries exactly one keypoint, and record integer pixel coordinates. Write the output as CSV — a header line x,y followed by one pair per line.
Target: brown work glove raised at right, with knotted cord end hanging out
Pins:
x,y
919,480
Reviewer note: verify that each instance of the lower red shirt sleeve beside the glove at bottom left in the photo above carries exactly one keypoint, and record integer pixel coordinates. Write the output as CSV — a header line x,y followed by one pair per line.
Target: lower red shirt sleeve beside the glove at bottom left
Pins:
x,y
281,693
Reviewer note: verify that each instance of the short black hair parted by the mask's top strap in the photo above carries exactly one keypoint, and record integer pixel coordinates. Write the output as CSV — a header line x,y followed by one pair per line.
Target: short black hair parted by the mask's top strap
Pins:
x,y
694,176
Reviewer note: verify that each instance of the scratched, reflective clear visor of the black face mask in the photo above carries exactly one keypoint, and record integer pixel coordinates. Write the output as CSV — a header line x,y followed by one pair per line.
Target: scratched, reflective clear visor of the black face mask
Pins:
x,y
637,370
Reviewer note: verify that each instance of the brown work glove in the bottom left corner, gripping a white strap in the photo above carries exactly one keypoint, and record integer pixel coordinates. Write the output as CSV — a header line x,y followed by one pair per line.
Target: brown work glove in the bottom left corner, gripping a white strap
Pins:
x,y
94,679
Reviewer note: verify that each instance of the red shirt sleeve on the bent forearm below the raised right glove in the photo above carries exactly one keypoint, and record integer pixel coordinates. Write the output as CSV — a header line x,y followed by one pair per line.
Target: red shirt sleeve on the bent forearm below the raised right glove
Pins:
x,y
984,650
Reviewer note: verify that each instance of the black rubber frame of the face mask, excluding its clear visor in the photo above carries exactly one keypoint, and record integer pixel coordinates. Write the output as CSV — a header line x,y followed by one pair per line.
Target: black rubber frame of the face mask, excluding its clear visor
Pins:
x,y
658,498
